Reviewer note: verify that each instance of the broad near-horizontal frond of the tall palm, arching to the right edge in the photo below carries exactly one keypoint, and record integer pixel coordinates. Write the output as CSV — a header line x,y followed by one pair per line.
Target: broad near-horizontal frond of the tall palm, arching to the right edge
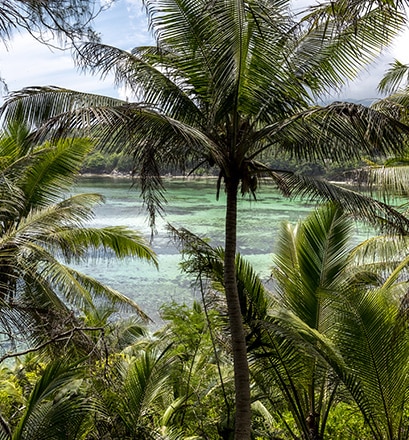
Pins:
x,y
334,131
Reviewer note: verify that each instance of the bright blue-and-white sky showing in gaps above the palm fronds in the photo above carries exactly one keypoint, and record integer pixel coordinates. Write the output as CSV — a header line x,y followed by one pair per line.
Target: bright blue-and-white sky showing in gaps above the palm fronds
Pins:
x,y
26,62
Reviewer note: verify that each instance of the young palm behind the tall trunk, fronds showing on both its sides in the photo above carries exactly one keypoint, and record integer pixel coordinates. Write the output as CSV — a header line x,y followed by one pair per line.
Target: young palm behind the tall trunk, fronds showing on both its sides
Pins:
x,y
311,261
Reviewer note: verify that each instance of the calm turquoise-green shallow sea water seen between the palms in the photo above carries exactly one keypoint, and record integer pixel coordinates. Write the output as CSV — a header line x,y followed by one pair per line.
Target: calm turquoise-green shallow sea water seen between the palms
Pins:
x,y
191,204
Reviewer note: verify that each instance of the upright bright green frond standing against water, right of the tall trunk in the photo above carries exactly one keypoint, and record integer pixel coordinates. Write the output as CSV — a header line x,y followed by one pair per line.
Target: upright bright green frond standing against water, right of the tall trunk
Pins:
x,y
311,260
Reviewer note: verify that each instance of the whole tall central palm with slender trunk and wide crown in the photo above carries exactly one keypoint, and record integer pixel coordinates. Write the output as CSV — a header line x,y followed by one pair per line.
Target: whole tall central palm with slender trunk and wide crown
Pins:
x,y
227,82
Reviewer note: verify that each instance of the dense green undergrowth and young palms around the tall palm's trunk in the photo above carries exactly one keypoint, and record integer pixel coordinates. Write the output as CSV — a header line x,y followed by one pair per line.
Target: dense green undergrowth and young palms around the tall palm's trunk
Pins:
x,y
328,352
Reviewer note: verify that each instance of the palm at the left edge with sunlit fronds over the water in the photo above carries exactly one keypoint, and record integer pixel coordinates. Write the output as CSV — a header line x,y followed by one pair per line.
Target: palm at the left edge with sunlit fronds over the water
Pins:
x,y
40,228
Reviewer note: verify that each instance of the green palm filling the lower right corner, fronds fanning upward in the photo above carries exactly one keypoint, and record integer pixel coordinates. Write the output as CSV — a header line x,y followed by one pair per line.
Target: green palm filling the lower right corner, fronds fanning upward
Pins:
x,y
367,348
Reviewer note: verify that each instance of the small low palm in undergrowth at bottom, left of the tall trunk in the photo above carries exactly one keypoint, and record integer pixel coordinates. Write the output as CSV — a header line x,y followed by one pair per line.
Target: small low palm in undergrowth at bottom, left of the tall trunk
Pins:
x,y
134,396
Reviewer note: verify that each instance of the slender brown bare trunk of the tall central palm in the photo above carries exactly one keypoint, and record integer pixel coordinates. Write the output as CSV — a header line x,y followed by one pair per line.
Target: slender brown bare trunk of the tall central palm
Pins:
x,y
241,367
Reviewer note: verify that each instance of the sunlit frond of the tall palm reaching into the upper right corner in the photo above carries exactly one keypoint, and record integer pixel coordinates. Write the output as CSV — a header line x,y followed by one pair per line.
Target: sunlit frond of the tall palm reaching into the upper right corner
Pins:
x,y
363,30
